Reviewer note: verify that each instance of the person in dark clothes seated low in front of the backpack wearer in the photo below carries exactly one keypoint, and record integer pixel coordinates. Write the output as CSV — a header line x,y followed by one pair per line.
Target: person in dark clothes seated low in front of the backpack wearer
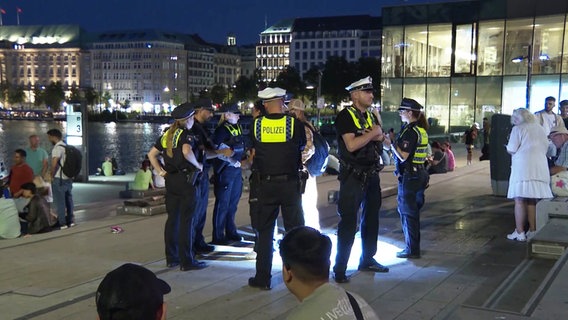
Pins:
x,y
35,215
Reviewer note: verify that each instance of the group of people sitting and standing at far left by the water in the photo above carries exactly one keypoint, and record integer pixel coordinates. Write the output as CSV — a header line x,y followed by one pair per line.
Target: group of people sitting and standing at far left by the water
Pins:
x,y
35,182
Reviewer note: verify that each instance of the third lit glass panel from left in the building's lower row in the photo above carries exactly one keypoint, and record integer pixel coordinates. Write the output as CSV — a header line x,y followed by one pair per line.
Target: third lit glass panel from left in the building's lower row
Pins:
x,y
437,102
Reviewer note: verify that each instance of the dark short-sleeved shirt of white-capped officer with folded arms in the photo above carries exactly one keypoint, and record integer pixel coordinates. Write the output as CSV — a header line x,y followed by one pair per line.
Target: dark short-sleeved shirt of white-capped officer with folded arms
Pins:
x,y
368,155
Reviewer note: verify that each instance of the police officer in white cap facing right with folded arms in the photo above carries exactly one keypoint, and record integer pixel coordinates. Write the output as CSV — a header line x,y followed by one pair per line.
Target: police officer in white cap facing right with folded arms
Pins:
x,y
360,147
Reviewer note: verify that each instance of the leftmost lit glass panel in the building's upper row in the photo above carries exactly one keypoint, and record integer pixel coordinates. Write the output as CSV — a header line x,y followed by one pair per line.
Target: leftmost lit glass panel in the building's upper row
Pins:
x,y
392,52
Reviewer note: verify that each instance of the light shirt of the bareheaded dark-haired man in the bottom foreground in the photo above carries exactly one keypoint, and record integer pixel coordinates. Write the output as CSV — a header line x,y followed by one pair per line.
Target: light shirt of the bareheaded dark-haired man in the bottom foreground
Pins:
x,y
331,302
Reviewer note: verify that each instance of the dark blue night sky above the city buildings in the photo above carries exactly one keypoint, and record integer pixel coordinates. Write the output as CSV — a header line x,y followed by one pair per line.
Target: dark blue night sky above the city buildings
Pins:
x,y
212,19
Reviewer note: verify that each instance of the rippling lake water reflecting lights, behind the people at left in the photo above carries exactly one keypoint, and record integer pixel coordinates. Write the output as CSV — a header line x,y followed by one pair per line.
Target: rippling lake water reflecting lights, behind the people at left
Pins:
x,y
127,142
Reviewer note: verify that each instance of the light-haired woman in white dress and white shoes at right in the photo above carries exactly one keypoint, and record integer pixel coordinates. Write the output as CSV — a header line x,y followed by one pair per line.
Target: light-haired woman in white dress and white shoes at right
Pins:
x,y
530,179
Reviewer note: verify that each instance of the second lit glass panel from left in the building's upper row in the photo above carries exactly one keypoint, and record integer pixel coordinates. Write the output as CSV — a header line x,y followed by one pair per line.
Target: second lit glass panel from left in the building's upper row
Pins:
x,y
415,51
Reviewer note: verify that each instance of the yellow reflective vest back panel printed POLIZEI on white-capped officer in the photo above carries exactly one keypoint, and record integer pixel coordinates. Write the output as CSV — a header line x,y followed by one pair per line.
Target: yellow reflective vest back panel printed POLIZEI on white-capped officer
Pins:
x,y
274,130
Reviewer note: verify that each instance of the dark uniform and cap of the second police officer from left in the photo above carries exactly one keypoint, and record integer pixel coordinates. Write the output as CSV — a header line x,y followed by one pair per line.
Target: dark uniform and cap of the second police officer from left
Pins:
x,y
205,143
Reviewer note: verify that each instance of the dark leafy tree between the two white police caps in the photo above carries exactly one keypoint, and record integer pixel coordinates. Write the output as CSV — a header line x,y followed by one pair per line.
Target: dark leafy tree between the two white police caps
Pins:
x,y
337,75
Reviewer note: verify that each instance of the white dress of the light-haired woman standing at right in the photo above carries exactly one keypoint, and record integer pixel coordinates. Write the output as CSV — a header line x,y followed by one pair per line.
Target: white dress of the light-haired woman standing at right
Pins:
x,y
530,177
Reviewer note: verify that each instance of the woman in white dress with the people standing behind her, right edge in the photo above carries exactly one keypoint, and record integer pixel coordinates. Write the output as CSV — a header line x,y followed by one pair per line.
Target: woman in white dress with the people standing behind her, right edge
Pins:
x,y
538,144
